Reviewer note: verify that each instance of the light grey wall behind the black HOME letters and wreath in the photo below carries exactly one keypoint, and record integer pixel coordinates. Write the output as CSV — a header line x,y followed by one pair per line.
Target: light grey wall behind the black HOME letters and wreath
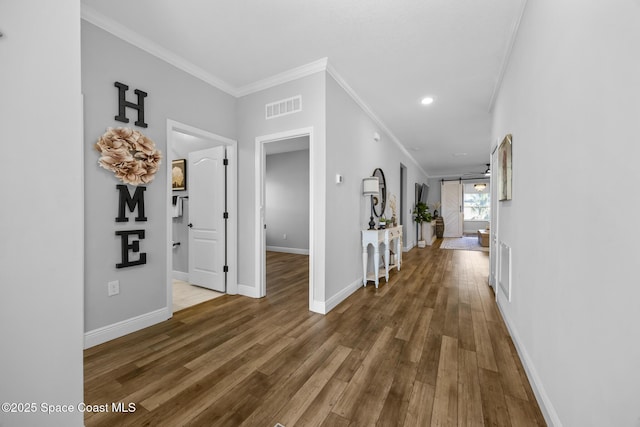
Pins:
x,y
172,94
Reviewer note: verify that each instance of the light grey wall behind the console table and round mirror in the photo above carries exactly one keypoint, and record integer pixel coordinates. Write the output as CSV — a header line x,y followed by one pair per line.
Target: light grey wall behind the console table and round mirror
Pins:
x,y
353,153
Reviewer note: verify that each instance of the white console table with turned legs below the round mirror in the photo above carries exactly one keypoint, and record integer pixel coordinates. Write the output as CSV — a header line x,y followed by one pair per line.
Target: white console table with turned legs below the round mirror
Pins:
x,y
387,238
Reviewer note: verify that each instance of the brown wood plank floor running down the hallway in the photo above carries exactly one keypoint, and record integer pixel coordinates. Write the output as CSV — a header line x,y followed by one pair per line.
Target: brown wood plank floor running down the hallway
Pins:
x,y
428,348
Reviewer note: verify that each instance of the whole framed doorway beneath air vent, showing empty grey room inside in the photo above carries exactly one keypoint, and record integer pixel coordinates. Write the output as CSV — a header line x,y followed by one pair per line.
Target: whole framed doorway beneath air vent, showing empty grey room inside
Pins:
x,y
284,211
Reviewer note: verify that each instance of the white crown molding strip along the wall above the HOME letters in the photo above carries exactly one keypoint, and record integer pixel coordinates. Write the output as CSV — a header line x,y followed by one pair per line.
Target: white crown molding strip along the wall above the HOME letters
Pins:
x,y
94,17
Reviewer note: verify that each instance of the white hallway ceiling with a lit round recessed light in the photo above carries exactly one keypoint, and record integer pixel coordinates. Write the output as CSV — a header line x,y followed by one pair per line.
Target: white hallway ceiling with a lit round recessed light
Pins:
x,y
391,53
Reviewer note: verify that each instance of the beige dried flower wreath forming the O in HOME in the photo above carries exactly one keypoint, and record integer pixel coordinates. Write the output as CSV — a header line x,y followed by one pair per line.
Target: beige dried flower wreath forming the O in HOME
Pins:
x,y
130,155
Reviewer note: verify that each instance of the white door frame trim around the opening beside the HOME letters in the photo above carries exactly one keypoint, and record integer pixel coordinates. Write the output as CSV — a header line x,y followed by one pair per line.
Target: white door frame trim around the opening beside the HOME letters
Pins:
x,y
232,203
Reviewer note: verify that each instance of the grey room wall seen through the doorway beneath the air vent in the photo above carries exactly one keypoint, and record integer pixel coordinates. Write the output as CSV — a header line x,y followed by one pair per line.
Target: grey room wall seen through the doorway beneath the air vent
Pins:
x,y
287,201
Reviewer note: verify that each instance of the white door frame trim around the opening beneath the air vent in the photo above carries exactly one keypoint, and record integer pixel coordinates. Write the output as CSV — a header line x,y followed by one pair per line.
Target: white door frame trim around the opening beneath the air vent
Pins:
x,y
260,238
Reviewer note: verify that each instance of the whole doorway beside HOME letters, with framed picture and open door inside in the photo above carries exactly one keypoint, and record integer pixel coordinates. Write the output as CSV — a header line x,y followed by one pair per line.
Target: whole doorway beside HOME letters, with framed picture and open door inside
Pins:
x,y
201,216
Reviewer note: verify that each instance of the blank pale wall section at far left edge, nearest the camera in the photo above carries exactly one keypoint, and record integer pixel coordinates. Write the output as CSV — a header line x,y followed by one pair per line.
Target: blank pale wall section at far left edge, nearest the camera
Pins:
x,y
41,220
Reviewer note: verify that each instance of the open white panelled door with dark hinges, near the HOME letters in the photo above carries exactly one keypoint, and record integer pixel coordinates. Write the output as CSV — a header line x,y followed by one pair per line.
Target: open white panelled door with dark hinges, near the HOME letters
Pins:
x,y
205,182
